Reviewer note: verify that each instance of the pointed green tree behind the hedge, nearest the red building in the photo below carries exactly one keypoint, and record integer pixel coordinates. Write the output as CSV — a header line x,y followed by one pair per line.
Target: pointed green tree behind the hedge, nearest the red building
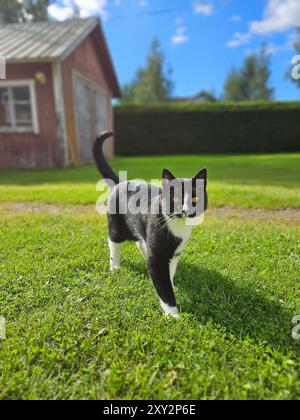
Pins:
x,y
151,84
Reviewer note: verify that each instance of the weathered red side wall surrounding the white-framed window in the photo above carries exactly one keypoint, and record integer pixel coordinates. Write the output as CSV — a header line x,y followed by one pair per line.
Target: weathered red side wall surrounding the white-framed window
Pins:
x,y
33,150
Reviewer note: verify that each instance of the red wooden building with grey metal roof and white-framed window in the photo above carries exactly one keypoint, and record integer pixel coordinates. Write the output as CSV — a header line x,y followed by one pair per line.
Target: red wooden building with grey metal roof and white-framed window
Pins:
x,y
57,94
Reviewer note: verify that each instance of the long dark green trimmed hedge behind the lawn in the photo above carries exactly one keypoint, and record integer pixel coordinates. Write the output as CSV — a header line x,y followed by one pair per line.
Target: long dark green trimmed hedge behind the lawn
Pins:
x,y
259,127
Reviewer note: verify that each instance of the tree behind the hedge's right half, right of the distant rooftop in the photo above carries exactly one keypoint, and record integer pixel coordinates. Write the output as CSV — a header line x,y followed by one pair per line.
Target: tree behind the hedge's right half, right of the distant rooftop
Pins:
x,y
251,82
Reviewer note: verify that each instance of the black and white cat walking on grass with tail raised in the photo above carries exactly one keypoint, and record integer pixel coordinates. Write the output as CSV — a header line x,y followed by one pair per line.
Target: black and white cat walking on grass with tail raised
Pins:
x,y
160,235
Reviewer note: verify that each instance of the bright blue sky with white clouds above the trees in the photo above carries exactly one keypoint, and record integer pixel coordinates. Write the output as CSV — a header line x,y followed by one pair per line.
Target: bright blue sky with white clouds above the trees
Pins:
x,y
202,40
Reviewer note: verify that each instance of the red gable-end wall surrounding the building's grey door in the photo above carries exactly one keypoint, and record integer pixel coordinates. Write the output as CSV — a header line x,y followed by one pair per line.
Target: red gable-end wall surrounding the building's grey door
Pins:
x,y
85,59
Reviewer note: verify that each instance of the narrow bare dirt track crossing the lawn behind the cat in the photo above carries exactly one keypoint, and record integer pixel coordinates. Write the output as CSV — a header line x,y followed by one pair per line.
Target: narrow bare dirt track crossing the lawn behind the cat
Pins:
x,y
289,216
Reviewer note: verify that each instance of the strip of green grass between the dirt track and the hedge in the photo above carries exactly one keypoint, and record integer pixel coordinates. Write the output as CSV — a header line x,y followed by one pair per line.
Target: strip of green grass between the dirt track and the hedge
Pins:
x,y
264,181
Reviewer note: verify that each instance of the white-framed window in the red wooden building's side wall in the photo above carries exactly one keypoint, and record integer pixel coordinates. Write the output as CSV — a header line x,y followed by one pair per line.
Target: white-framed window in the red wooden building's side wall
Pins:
x,y
17,107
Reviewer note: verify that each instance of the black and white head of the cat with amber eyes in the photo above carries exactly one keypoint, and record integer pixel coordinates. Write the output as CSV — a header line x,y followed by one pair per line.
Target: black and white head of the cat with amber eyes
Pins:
x,y
184,198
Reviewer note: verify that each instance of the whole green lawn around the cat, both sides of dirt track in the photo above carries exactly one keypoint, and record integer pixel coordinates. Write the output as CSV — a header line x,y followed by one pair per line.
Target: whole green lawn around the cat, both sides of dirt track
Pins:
x,y
75,330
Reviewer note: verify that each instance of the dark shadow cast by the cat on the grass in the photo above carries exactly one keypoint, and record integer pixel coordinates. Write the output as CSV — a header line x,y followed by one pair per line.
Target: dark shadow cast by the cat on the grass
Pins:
x,y
241,310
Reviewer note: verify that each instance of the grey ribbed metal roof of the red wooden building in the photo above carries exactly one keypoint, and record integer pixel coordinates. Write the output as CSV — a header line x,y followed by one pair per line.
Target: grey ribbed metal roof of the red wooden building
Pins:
x,y
43,40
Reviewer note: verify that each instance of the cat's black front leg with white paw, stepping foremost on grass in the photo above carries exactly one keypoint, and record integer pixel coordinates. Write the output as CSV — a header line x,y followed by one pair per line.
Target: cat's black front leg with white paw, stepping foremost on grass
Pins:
x,y
160,274
